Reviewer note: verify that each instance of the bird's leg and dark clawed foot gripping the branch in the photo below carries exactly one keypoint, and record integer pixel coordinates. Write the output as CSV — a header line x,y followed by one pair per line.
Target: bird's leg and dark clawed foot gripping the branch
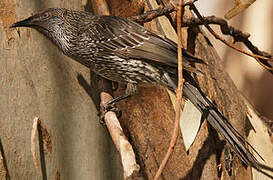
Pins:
x,y
109,106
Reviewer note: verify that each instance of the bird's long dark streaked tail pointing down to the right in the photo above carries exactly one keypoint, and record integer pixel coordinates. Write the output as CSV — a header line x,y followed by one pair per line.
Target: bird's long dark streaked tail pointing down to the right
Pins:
x,y
221,124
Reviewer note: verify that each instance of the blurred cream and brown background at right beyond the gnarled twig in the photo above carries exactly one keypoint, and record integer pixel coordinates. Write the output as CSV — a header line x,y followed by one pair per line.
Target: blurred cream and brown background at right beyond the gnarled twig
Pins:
x,y
255,83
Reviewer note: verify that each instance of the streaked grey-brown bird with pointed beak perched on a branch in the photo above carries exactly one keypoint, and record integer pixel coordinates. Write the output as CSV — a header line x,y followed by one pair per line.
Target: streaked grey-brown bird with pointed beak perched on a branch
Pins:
x,y
123,51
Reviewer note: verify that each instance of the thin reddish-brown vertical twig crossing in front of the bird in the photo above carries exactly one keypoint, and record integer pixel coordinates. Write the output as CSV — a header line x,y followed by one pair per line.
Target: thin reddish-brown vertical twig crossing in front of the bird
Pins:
x,y
178,94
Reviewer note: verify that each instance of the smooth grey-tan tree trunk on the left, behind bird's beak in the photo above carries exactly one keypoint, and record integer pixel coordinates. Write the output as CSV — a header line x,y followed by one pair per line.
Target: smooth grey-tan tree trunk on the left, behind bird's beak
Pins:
x,y
36,79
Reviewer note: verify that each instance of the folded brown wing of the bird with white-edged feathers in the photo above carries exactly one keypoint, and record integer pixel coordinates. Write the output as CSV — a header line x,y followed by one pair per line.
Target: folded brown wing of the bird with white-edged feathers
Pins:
x,y
127,39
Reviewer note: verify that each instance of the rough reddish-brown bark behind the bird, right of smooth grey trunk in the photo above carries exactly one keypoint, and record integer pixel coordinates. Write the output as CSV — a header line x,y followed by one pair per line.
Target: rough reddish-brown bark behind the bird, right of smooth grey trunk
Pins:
x,y
150,115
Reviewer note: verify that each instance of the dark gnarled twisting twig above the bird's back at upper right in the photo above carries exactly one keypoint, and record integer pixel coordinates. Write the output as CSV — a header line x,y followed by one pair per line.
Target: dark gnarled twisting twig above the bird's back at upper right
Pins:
x,y
238,36
